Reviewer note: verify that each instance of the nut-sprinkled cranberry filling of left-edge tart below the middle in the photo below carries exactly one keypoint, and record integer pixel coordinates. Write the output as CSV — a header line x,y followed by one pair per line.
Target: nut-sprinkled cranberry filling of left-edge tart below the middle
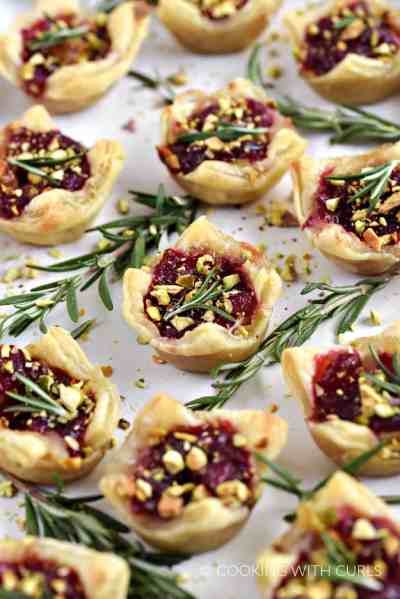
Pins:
x,y
71,429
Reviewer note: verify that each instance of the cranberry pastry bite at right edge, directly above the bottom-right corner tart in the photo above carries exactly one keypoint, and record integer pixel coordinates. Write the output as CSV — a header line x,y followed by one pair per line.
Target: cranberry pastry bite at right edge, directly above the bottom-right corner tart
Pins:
x,y
351,397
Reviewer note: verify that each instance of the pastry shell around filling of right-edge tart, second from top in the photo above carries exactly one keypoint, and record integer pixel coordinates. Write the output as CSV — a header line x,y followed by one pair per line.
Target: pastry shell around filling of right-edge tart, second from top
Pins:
x,y
344,248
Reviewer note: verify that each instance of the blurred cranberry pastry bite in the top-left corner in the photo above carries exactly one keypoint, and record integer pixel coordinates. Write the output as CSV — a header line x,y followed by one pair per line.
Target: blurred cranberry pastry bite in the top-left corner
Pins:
x,y
68,59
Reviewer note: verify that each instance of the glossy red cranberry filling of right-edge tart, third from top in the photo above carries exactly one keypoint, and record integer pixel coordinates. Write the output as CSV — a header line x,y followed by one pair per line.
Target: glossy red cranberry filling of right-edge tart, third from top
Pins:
x,y
340,388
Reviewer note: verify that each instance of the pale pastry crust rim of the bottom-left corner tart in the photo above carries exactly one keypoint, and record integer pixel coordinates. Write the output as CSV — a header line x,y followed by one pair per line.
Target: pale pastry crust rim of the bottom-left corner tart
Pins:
x,y
100,575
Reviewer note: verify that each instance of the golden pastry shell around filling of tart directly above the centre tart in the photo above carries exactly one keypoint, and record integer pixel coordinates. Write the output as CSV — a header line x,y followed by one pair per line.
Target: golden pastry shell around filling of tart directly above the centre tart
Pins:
x,y
218,182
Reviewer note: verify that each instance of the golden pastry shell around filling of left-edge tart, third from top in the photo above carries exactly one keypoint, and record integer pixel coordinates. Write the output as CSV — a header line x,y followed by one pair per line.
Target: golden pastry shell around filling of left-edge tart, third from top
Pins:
x,y
37,457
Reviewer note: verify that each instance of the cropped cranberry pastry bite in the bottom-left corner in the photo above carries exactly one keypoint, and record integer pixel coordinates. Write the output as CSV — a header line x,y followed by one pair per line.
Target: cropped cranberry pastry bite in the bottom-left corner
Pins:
x,y
40,568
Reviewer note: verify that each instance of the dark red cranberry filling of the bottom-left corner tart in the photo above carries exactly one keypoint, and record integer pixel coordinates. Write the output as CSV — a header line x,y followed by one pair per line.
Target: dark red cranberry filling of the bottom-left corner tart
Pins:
x,y
38,578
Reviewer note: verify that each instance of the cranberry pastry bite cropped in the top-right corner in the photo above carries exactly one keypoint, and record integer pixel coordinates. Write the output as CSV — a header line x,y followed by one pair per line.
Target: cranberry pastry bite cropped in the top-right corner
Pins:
x,y
348,50
